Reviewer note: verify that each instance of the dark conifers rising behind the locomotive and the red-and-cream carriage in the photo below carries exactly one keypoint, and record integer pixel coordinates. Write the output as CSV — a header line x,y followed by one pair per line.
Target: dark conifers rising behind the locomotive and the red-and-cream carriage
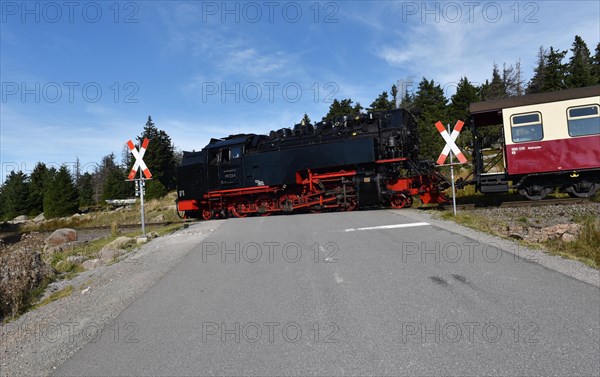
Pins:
x,y
553,71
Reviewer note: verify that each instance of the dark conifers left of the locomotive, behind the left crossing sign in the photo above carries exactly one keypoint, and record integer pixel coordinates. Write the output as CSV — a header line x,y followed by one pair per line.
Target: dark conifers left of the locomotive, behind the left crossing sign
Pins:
x,y
61,192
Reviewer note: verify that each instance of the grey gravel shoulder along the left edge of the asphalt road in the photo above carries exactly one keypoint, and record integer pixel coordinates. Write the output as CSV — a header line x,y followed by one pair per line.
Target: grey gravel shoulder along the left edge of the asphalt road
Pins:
x,y
40,340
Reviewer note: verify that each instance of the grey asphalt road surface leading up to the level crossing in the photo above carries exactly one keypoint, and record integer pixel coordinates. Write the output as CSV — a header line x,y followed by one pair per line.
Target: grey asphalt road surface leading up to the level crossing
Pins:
x,y
335,294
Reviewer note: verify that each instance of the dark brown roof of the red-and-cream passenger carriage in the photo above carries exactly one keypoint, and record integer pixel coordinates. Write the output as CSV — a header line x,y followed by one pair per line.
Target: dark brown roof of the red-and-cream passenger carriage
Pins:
x,y
490,112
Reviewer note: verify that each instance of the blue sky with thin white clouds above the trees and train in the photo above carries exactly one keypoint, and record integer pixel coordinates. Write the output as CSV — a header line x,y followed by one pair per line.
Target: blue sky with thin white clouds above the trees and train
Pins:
x,y
80,78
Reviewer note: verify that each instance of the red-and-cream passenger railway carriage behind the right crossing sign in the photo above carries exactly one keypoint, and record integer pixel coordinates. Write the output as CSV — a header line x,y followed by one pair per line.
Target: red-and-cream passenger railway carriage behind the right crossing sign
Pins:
x,y
548,141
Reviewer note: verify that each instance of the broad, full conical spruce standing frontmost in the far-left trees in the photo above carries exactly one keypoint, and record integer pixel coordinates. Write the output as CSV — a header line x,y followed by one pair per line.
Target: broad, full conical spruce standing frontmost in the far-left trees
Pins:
x,y
60,196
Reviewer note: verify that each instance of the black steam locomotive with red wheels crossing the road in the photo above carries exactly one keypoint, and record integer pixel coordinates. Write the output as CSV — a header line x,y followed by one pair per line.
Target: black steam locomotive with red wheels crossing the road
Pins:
x,y
371,159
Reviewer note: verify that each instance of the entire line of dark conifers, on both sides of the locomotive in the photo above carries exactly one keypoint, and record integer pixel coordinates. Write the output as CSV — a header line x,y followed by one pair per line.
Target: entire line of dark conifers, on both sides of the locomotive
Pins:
x,y
58,192
